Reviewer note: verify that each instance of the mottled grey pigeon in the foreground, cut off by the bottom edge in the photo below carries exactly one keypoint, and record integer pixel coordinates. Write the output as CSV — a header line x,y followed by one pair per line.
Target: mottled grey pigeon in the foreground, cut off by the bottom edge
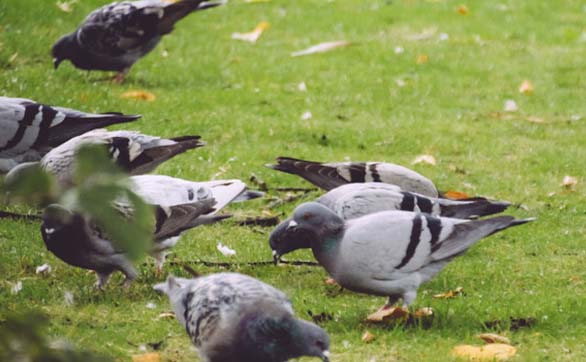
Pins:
x,y
232,317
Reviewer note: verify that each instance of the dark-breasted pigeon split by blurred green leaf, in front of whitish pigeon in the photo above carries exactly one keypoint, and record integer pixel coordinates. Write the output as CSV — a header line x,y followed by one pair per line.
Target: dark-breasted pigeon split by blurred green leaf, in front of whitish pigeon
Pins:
x,y
79,242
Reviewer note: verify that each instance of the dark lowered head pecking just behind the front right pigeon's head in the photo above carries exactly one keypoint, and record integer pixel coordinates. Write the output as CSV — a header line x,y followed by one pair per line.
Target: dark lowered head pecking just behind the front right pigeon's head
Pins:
x,y
284,240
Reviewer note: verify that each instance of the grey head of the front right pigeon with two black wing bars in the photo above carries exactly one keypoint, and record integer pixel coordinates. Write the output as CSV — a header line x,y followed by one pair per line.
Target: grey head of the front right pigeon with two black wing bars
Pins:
x,y
316,219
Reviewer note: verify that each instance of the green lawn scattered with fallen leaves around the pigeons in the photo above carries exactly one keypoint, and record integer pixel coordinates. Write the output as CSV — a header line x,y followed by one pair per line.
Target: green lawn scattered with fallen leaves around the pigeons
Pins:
x,y
243,99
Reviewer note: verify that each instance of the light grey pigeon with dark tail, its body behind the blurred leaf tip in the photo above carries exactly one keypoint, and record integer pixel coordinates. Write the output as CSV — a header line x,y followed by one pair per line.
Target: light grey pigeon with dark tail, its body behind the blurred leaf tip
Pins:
x,y
134,152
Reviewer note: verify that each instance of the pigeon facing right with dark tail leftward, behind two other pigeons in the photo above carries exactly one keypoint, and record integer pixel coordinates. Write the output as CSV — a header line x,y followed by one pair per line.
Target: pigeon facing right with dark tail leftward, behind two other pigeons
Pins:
x,y
328,176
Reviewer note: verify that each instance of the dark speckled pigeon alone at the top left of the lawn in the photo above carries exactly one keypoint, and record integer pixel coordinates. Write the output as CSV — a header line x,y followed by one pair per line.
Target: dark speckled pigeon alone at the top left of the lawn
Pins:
x,y
115,36
